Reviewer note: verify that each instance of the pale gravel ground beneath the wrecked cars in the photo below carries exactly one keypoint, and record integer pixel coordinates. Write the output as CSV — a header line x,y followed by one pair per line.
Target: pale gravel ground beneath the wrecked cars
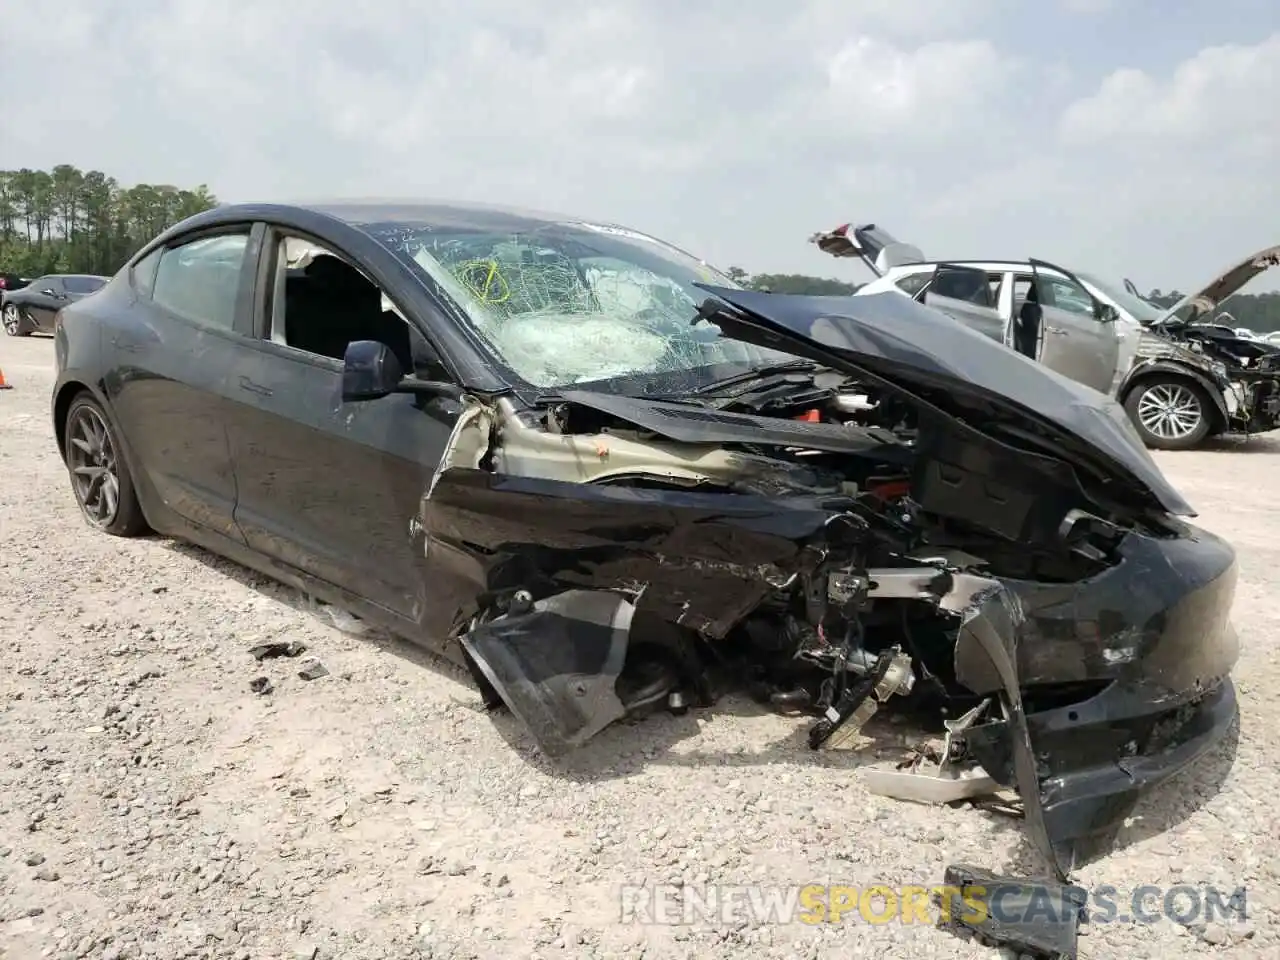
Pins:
x,y
153,807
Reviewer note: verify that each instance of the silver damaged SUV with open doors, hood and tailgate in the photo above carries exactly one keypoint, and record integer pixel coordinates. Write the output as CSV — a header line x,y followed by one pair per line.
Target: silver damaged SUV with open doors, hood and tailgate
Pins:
x,y
1181,377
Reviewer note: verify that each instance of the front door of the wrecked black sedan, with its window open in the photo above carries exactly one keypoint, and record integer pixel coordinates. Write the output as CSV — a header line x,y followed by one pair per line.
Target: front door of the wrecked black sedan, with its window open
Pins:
x,y
326,487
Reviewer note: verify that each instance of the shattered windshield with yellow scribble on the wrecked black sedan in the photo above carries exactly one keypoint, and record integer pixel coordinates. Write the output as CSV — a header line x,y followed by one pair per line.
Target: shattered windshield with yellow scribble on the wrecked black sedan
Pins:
x,y
570,304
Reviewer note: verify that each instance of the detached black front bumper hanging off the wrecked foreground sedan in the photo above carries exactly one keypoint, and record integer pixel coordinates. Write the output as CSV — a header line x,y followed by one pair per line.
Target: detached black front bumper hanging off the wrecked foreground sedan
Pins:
x,y
1153,638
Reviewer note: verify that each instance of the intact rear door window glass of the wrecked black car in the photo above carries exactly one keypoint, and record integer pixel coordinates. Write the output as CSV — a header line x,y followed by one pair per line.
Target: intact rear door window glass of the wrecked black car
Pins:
x,y
200,281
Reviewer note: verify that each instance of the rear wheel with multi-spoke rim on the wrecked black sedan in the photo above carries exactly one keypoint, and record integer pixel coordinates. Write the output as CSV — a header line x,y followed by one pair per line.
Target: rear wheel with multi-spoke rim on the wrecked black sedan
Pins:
x,y
100,477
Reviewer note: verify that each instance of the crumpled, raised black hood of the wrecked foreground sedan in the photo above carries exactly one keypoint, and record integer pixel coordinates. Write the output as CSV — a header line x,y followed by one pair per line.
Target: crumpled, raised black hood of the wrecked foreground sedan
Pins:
x,y
915,349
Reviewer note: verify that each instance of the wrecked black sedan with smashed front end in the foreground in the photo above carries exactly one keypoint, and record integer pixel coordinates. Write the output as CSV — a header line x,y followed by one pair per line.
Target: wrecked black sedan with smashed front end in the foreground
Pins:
x,y
606,479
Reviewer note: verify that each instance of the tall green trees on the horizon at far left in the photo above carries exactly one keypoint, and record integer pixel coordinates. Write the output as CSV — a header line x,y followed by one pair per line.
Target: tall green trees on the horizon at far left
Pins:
x,y
84,222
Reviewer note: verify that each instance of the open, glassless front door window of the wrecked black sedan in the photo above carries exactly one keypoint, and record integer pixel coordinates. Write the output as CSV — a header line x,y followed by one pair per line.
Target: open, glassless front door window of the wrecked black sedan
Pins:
x,y
321,303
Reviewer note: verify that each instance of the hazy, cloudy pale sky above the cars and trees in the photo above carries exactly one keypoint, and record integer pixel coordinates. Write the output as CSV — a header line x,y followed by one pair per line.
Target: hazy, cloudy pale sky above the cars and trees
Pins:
x,y
1127,136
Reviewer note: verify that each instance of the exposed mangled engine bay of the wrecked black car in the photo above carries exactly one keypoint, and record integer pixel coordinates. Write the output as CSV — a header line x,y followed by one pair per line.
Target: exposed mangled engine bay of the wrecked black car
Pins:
x,y
866,607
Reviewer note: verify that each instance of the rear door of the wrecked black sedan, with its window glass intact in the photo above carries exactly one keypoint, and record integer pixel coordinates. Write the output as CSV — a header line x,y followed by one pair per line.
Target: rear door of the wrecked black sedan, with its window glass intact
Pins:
x,y
173,359
